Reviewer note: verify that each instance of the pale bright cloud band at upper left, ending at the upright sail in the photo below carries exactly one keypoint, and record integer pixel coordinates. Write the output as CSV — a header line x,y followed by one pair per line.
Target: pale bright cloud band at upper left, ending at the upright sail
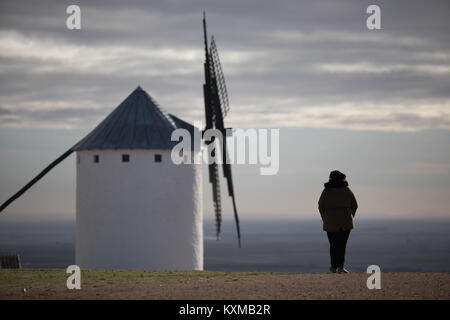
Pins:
x,y
49,56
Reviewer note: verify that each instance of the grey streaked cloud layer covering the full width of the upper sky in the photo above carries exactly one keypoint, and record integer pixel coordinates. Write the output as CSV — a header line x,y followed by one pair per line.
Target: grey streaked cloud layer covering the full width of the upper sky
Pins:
x,y
295,64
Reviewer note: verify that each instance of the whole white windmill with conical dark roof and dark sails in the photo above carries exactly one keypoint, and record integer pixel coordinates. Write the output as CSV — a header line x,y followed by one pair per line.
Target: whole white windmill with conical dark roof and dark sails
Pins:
x,y
135,208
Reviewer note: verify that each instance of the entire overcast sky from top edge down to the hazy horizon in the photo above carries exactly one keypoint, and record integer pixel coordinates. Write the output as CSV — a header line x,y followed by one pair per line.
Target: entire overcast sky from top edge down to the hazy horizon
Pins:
x,y
375,104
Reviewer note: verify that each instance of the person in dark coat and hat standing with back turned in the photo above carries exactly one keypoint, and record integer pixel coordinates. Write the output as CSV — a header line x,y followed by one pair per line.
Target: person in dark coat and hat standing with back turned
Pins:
x,y
337,207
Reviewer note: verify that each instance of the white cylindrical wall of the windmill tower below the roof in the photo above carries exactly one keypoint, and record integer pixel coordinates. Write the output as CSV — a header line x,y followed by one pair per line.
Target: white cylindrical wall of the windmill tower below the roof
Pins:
x,y
140,214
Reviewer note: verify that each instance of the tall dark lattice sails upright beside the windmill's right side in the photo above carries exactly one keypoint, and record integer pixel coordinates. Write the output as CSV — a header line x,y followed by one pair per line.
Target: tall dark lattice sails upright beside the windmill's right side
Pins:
x,y
216,108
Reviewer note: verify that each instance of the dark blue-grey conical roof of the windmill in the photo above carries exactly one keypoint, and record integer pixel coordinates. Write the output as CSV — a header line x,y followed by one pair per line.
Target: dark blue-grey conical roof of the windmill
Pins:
x,y
137,123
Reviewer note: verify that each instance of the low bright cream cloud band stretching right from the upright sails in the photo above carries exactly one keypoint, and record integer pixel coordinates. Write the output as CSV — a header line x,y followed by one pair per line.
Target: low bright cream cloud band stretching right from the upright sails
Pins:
x,y
353,116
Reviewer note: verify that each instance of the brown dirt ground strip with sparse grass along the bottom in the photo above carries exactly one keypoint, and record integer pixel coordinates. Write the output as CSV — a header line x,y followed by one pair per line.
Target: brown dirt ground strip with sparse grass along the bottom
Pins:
x,y
51,284
